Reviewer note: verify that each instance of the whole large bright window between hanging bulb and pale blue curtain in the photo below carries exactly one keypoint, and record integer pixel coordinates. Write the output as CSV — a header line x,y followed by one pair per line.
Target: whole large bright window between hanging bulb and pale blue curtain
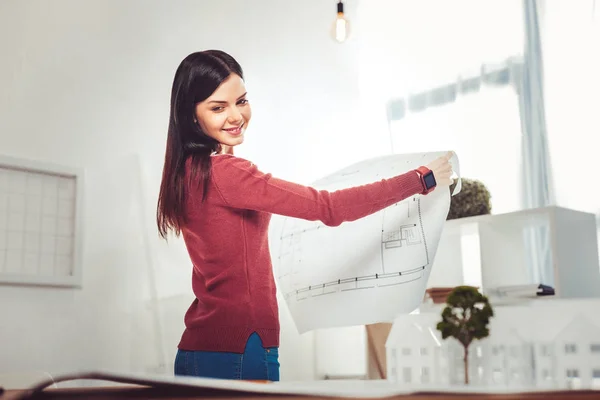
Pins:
x,y
407,51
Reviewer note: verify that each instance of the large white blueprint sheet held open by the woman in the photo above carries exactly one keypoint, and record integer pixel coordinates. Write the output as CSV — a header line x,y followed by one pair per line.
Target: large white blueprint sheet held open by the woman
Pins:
x,y
365,271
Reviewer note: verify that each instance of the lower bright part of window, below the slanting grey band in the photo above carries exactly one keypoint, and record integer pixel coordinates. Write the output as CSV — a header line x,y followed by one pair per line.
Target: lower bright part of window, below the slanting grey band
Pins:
x,y
467,126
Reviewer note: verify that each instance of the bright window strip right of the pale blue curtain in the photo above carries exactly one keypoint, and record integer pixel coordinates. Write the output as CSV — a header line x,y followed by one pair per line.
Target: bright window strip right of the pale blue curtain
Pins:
x,y
571,110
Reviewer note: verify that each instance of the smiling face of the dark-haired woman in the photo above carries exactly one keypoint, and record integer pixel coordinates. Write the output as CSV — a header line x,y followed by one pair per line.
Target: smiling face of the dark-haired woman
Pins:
x,y
225,115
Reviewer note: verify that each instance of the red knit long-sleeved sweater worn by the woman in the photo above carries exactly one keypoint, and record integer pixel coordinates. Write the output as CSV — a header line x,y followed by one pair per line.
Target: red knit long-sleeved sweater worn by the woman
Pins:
x,y
227,239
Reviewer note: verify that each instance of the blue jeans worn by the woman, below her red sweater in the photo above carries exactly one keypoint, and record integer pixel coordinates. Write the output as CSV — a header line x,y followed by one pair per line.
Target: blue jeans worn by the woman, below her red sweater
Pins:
x,y
256,363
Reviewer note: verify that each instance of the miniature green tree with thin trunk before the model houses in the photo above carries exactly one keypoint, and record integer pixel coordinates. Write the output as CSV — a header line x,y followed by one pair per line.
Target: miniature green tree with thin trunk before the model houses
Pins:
x,y
465,318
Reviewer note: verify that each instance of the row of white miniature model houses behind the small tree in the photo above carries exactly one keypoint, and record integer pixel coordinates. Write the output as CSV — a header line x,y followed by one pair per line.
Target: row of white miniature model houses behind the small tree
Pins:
x,y
550,343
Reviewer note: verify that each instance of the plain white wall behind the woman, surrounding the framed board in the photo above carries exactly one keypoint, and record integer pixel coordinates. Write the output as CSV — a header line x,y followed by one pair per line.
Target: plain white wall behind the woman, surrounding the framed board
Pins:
x,y
87,84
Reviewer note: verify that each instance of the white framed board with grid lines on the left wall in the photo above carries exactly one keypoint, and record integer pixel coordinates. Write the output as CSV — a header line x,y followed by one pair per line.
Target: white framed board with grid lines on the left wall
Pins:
x,y
40,223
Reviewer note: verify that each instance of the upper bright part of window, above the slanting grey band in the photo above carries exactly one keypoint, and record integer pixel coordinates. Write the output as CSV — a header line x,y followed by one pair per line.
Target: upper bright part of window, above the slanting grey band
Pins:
x,y
405,48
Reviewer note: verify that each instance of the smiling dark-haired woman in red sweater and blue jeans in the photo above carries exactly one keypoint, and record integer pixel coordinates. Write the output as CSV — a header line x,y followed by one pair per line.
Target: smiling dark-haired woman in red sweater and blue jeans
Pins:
x,y
222,205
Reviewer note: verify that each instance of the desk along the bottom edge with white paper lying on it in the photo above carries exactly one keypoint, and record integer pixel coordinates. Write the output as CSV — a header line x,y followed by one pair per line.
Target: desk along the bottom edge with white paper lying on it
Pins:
x,y
132,386
